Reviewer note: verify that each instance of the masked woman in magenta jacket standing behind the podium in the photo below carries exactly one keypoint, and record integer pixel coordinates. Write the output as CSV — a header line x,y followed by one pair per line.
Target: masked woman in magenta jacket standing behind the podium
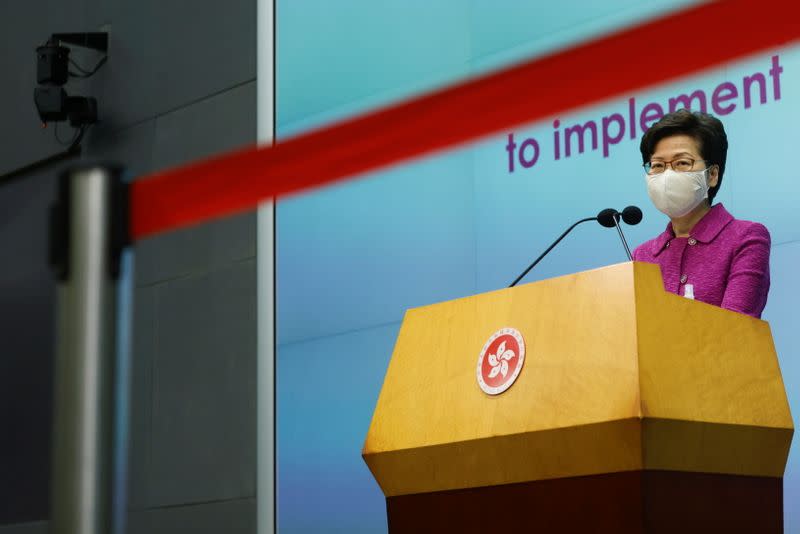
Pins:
x,y
704,253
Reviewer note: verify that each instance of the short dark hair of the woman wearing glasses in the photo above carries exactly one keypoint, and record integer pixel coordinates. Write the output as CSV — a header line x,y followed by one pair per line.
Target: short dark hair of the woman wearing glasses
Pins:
x,y
706,129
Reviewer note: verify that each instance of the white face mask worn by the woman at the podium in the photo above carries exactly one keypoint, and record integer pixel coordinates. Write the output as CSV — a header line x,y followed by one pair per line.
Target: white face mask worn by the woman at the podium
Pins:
x,y
677,193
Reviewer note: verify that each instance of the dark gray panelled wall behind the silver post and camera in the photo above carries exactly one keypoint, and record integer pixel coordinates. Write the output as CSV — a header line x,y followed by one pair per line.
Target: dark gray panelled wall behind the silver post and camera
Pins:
x,y
179,85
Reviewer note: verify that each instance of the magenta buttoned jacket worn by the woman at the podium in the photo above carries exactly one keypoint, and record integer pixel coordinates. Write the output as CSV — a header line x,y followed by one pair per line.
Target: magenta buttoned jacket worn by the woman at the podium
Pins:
x,y
725,260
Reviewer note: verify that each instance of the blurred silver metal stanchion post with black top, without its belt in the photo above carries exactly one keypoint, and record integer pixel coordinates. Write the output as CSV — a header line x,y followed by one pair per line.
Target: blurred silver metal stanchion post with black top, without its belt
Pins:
x,y
88,232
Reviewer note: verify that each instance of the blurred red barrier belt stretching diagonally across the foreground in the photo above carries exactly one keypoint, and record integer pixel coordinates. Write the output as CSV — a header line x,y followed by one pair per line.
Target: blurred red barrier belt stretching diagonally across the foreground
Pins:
x,y
662,49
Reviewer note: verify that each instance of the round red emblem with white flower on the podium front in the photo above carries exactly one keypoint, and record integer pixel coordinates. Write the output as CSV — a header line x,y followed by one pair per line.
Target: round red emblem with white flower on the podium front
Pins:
x,y
500,361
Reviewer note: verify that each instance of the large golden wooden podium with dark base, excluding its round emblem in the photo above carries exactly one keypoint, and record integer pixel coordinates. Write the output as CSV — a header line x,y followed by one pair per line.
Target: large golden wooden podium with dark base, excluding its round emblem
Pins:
x,y
635,410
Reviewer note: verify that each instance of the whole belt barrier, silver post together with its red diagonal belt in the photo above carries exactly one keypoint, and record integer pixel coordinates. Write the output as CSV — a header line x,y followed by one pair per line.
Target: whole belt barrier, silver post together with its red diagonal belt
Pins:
x,y
97,215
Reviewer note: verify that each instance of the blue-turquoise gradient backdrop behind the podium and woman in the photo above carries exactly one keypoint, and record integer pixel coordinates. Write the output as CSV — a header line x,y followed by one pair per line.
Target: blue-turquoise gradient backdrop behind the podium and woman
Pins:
x,y
353,257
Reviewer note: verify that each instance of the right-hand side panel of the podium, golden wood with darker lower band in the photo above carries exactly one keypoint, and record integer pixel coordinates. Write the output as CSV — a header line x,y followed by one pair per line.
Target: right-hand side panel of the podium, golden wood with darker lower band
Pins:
x,y
713,399
